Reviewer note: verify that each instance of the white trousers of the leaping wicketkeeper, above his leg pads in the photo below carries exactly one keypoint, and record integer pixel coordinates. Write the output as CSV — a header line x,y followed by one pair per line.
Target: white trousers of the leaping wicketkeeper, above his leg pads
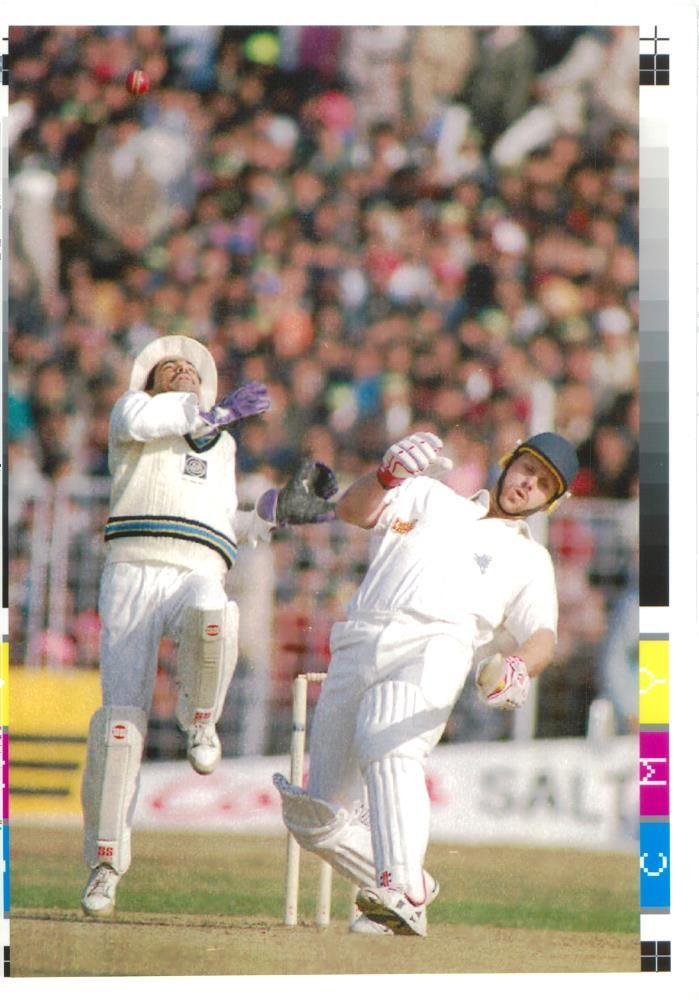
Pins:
x,y
138,604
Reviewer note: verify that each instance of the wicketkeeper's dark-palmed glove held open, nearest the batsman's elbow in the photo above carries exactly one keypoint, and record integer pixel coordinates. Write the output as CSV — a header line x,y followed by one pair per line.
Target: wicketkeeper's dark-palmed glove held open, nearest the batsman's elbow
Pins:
x,y
304,499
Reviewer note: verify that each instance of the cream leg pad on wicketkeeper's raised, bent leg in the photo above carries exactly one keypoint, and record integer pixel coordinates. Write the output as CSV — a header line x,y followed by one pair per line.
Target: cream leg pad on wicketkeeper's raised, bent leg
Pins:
x,y
206,659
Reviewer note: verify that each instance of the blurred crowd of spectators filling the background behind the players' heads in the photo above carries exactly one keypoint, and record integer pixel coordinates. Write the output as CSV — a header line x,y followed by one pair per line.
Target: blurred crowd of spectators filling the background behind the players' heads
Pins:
x,y
391,227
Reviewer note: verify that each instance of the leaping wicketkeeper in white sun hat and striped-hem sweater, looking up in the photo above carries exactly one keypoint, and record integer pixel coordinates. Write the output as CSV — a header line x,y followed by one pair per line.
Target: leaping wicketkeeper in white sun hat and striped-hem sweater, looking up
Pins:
x,y
171,538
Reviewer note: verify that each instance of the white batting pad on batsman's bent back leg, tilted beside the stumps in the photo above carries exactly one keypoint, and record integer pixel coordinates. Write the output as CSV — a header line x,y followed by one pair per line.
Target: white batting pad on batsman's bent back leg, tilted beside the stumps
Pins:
x,y
340,837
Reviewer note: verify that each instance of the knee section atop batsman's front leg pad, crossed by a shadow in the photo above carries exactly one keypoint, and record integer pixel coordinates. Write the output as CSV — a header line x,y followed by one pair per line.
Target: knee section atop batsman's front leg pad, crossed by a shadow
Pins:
x,y
395,719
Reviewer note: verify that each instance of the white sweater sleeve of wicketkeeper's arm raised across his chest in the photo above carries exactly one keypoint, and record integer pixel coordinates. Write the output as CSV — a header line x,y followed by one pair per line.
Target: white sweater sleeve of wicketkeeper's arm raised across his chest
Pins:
x,y
137,416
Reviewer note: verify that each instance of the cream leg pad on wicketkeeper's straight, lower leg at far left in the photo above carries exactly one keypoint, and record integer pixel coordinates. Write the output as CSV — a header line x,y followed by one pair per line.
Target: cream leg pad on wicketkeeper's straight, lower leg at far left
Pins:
x,y
110,783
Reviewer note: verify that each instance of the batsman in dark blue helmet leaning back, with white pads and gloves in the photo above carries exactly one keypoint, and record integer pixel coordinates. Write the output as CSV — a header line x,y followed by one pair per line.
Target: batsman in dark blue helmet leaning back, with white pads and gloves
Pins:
x,y
454,583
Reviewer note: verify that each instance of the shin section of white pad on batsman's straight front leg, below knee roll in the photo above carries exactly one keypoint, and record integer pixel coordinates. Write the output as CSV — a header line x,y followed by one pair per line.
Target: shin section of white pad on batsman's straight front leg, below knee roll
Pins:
x,y
400,812
